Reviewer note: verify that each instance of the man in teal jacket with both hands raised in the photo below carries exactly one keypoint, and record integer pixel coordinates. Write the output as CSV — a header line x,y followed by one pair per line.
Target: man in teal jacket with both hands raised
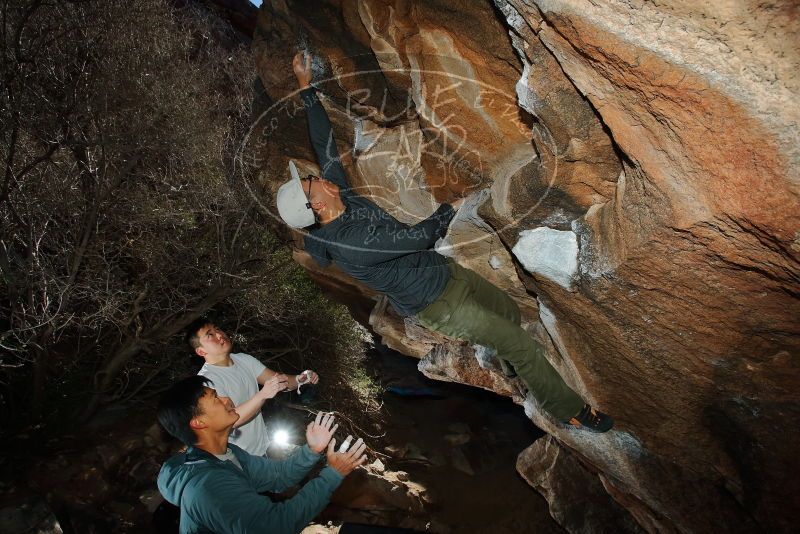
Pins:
x,y
217,485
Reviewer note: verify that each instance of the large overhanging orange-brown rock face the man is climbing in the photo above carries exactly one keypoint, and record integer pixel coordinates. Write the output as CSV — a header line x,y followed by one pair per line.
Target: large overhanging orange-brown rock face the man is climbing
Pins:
x,y
665,137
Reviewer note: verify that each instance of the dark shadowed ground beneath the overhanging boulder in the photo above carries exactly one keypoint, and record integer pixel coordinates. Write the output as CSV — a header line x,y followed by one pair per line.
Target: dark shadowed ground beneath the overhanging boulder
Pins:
x,y
495,499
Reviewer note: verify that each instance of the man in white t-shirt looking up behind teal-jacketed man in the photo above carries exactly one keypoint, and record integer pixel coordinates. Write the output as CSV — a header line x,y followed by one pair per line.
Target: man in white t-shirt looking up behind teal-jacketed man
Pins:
x,y
237,377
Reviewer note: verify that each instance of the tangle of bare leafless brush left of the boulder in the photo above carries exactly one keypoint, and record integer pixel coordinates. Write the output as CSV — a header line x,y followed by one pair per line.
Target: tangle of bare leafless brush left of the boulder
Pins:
x,y
122,214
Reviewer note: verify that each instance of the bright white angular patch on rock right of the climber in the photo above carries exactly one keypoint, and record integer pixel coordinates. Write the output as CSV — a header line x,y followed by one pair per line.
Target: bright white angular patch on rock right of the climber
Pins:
x,y
549,253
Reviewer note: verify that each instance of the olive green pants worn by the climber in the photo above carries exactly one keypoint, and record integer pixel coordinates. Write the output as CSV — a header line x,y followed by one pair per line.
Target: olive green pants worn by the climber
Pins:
x,y
472,309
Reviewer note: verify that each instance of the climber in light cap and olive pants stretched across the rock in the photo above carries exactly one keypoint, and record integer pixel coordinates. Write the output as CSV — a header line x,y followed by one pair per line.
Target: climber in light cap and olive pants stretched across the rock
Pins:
x,y
397,260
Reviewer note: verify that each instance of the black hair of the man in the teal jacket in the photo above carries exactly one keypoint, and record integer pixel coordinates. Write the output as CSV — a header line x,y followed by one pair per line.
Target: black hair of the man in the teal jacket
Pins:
x,y
179,405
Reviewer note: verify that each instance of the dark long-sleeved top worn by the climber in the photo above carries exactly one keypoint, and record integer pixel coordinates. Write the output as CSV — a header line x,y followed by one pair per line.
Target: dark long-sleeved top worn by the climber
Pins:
x,y
369,244
